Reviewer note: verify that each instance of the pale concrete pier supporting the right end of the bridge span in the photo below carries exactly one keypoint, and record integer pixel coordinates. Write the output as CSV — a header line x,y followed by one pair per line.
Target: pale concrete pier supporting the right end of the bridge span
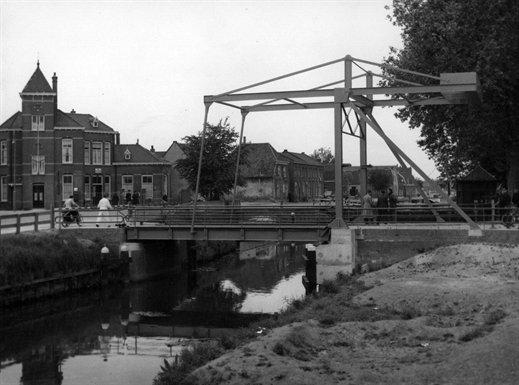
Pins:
x,y
337,256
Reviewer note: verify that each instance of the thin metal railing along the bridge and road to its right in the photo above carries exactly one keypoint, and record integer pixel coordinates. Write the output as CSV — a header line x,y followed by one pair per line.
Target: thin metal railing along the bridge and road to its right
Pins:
x,y
308,215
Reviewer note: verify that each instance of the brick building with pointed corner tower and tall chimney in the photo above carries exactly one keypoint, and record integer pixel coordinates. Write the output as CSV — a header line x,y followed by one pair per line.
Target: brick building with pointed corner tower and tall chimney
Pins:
x,y
47,154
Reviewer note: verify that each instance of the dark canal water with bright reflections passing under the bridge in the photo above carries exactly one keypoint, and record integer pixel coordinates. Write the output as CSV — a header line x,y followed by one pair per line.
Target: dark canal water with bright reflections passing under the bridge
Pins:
x,y
121,335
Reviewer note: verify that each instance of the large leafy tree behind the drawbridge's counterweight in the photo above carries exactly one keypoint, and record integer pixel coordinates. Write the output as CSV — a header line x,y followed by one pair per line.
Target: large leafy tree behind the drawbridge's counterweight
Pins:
x,y
457,36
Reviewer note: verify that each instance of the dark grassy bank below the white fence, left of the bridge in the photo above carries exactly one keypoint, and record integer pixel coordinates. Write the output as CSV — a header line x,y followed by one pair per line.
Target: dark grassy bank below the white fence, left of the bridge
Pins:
x,y
28,257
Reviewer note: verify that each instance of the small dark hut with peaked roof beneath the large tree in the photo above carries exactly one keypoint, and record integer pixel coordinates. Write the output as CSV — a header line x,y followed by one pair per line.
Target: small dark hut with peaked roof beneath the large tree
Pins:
x,y
478,186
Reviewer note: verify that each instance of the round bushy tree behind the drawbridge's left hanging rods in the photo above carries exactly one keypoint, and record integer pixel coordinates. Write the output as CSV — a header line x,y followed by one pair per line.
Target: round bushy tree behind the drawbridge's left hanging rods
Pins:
x,y
219,160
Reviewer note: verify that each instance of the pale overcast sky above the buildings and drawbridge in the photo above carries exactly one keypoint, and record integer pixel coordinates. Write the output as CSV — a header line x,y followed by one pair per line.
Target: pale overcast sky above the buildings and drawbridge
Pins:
x,y
143,67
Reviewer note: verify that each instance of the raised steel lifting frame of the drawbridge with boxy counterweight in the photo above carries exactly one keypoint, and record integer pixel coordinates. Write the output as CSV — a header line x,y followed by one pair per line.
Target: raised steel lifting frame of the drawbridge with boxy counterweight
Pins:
x,y
418,89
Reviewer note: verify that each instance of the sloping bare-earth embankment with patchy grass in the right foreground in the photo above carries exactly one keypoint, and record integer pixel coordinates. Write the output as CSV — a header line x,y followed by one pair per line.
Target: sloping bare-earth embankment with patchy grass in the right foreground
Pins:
x,y
457,322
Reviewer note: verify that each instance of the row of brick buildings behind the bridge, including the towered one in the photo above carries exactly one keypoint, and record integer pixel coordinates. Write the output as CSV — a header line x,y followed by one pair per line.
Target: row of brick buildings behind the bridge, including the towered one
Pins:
x,y
47,154
